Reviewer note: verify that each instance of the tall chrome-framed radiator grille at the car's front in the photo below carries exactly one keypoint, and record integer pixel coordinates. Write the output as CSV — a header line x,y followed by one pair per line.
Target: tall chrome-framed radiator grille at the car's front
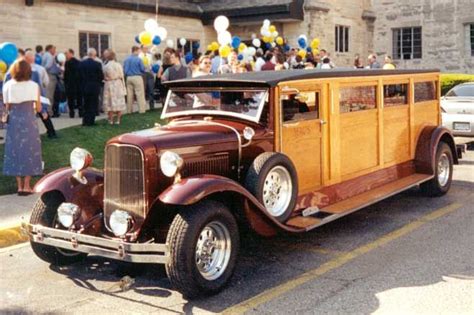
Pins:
x,y
124,180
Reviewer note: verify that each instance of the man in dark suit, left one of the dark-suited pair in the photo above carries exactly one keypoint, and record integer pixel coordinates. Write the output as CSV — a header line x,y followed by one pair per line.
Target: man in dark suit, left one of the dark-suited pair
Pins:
x,y
72,84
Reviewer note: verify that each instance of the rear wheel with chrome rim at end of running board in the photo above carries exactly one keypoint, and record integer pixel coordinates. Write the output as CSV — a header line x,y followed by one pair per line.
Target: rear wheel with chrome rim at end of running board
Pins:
x,y
441,182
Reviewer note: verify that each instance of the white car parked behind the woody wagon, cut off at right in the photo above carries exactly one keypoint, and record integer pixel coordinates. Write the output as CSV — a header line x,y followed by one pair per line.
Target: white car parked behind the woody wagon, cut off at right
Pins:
x,y
457,108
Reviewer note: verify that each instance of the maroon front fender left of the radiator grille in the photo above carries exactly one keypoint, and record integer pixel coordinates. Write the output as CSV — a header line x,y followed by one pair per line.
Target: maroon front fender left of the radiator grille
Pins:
x,y
61,180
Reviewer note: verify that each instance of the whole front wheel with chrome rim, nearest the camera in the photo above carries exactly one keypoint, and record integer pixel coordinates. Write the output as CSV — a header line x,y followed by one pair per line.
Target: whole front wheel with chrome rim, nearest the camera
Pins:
x,y
204,242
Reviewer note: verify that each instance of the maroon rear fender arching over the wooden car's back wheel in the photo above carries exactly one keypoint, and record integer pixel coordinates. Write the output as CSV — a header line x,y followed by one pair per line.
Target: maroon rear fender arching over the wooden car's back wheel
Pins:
x,y
427,145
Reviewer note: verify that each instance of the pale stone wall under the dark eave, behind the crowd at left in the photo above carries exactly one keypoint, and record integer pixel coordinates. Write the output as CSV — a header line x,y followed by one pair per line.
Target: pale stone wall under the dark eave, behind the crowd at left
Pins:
x,y
59,24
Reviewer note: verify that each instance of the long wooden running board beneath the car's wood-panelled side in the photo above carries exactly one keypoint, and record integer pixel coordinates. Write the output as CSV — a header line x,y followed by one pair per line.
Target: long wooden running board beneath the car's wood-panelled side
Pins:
x,y
347,206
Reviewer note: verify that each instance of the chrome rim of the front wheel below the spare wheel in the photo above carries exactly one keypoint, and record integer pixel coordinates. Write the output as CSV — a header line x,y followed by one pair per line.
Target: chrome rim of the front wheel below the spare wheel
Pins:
x,y
213,250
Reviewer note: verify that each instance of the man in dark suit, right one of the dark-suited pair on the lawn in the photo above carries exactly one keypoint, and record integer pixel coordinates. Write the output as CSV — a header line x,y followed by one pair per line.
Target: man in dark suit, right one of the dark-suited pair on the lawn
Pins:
x,y
92,78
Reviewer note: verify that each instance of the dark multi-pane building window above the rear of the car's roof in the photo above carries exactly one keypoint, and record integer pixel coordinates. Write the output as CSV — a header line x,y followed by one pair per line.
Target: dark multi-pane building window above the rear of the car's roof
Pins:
x,y
407,43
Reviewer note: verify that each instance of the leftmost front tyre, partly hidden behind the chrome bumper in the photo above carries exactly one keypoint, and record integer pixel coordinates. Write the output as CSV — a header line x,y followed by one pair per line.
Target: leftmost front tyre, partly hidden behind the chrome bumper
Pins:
x,y
44,213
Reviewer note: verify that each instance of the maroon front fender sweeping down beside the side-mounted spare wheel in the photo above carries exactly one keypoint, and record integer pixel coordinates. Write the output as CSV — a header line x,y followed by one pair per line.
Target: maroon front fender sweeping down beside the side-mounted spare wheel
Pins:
x,y
193,189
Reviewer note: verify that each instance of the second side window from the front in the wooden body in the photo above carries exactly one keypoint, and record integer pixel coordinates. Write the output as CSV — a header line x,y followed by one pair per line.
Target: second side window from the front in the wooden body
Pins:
x,y
357,98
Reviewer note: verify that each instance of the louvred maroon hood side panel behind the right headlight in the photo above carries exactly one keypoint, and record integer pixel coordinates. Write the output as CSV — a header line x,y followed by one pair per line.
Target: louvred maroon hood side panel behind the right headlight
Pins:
x,y
217,165
